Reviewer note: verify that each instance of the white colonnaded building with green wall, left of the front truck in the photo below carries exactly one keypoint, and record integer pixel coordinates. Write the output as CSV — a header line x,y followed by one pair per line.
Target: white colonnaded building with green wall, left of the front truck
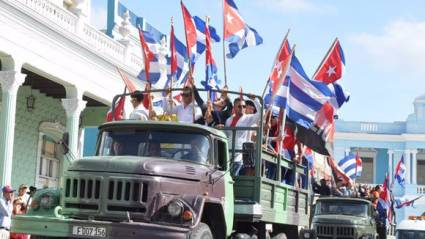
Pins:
x,y
58,74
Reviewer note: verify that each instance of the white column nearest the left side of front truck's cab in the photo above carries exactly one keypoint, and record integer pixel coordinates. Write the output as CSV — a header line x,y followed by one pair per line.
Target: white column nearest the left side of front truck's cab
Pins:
x,y
73,108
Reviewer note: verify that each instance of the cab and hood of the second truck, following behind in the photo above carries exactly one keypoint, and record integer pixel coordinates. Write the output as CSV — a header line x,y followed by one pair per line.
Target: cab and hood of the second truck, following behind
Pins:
x,y
337,217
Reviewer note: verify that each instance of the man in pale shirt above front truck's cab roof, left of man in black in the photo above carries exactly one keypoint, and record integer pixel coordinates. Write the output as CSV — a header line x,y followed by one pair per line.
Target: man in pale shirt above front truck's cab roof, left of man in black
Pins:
x,y
184,111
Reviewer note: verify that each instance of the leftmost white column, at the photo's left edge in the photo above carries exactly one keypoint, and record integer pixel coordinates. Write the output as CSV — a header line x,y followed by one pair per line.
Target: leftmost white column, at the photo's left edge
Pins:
x,y
10,82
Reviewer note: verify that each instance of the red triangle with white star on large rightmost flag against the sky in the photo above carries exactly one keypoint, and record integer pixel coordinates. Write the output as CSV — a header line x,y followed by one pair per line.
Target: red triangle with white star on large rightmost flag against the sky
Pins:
x,y
332,65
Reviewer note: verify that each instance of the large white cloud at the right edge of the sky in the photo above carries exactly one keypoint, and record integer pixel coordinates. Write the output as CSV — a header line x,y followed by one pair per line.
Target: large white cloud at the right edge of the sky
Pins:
x,y
400,47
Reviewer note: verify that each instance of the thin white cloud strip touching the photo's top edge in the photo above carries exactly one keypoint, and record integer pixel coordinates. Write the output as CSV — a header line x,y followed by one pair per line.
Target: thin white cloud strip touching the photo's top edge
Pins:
x,y
296,6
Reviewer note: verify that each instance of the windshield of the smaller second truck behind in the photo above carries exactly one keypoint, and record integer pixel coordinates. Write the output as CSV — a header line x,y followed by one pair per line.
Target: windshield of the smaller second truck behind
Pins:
x,y
358,209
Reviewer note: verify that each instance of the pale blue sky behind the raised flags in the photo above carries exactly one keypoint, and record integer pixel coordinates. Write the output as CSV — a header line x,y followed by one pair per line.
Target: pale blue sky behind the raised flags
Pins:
x,y
383,42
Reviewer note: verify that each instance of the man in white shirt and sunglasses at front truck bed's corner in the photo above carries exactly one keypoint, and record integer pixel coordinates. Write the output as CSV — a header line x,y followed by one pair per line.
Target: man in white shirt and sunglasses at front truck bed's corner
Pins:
x,y
241,119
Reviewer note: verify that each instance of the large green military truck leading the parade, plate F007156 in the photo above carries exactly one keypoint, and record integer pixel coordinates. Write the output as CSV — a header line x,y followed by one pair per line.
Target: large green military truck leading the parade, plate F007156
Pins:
x,y
145,182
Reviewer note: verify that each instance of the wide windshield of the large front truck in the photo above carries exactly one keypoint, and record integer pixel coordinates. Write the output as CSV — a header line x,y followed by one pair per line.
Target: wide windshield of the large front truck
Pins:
x,y
151,143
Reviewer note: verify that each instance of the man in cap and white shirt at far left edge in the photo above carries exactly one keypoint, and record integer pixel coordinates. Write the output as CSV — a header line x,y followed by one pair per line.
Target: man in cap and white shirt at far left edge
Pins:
x,y
6,209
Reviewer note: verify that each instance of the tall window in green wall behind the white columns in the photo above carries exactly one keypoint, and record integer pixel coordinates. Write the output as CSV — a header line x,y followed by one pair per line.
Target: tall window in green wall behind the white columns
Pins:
x,y
49,164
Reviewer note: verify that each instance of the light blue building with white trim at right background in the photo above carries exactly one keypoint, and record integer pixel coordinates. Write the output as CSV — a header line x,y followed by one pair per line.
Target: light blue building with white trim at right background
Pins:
x,y
381,146
